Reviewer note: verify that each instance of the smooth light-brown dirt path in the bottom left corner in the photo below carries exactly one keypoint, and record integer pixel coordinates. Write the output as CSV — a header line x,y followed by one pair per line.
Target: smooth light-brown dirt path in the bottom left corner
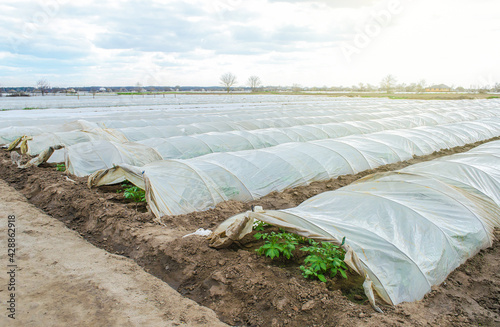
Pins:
x,y
62,280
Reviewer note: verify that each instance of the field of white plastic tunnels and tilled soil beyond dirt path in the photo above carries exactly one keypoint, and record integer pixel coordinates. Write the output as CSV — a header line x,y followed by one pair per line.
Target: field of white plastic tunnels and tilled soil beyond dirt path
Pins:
x,y
163,167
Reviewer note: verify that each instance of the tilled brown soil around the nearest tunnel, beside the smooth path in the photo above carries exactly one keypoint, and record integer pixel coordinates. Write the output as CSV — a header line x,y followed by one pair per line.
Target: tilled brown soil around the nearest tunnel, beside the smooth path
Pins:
x,y
241,287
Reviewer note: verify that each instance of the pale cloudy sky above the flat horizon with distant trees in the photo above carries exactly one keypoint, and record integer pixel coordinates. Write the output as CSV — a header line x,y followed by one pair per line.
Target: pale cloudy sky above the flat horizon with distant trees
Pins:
x,y
193,42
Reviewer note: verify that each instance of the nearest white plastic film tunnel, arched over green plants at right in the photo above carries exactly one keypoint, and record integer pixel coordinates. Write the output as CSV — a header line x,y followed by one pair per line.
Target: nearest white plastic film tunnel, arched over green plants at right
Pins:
x,y
406,230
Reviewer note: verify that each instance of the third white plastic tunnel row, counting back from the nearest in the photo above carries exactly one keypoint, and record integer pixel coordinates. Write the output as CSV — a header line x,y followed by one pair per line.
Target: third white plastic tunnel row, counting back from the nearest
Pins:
x,y
87,157
